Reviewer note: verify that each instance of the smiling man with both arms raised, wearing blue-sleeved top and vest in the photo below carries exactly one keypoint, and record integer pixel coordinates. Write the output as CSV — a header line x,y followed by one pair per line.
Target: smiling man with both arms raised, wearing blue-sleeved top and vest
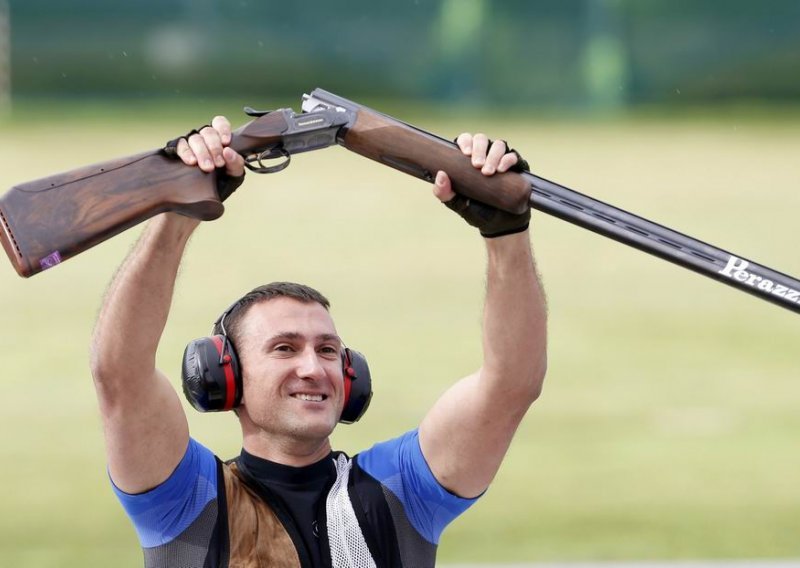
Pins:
x,y
288,500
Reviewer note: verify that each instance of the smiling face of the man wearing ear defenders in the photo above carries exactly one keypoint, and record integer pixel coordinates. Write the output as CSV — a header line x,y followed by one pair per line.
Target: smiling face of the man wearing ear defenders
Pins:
x,y
292,368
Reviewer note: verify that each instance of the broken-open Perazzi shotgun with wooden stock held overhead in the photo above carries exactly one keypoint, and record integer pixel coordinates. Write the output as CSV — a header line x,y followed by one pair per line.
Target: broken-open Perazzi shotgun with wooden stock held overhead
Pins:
x,y
44,222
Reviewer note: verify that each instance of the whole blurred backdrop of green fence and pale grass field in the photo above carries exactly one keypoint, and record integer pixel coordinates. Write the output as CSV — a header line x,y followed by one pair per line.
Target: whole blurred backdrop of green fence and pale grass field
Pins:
x,y
669,426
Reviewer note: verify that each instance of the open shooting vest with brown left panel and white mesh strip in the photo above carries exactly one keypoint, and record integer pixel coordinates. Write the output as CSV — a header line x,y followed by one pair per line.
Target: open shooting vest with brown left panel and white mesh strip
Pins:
x,y
362,525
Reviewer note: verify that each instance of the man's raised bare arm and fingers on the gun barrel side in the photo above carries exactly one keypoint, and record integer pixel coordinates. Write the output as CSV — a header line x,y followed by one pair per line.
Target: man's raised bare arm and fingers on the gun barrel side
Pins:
x,y
466,434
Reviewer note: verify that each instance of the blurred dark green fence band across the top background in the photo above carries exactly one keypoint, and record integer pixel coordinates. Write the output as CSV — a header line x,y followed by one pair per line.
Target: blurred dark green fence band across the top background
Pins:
x,y
539,52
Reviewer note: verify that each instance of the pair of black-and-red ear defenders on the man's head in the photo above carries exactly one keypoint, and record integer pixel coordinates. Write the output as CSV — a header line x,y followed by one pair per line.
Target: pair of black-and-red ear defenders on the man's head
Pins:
x,y
212,377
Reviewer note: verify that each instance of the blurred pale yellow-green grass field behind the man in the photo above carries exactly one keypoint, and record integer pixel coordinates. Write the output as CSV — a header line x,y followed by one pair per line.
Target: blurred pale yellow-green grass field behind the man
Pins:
x,y
670,423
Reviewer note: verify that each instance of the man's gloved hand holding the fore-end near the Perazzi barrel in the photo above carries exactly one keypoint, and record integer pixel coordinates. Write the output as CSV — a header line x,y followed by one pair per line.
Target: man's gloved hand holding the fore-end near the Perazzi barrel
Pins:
x,y
496,158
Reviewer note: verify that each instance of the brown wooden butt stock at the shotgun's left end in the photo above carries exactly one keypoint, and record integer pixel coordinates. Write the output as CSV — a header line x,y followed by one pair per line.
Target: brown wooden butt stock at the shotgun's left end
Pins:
x,y
46,221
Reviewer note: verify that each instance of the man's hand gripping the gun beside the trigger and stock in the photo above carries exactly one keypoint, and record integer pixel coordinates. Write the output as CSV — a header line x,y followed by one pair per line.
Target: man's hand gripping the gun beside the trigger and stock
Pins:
x,y
208,149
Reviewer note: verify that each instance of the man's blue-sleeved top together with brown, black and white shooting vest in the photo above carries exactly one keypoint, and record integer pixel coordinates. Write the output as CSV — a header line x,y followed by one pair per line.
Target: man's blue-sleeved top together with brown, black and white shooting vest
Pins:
x,y
382,508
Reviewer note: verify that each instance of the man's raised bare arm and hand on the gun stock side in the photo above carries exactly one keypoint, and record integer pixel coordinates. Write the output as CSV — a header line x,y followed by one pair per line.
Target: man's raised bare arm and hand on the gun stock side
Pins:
x,y
145,427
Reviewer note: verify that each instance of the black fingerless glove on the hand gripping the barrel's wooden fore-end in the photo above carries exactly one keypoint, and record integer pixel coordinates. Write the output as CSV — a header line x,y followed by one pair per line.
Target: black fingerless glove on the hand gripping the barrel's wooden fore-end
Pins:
x,y
489,220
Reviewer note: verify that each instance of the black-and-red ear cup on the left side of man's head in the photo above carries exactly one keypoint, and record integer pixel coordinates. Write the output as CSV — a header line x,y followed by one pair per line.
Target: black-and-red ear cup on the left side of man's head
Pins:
x,y
210,374
